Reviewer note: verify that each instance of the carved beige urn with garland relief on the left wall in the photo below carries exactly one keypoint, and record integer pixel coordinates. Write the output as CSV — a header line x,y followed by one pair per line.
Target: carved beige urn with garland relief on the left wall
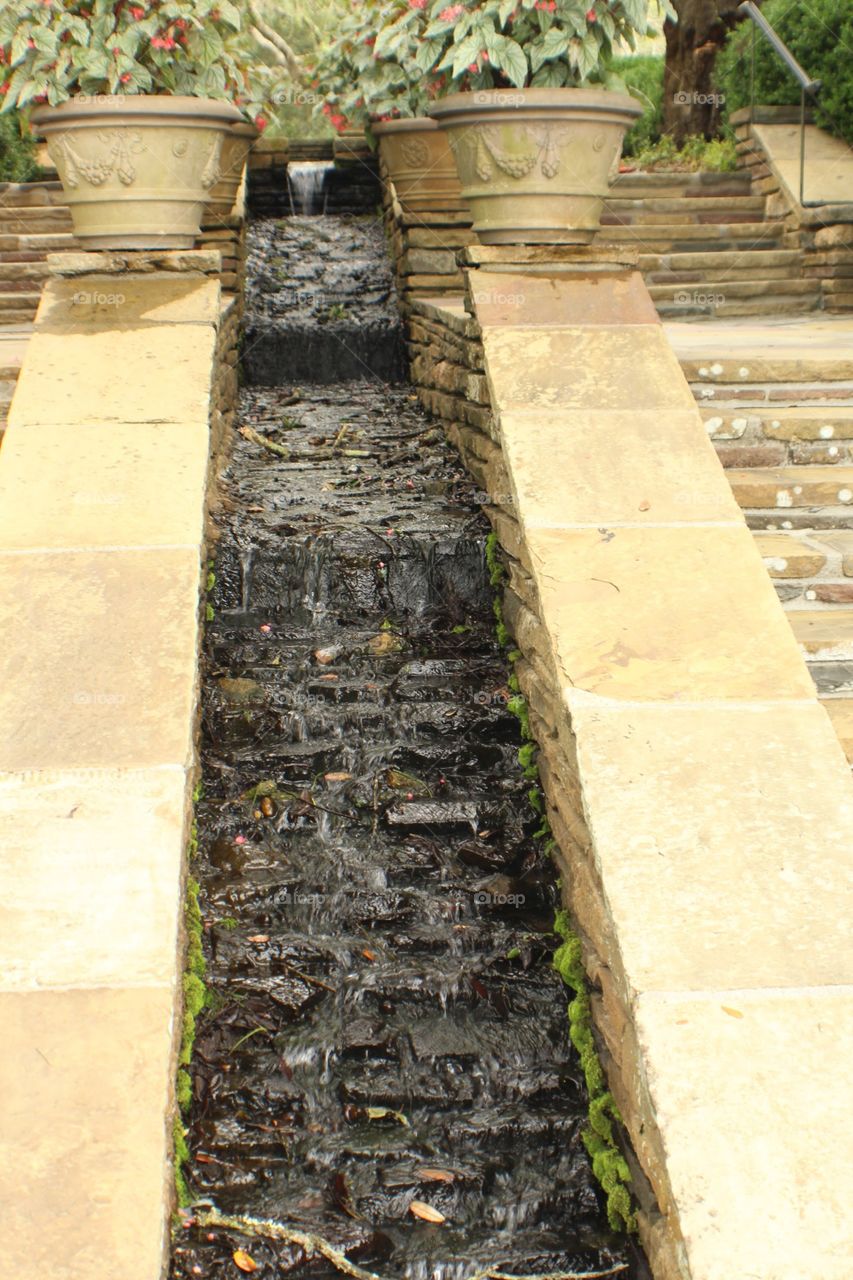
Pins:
x,y
138,170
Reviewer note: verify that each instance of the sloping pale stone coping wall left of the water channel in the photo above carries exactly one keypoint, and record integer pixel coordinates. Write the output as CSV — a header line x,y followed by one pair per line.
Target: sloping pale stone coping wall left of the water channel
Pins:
x,y
126,395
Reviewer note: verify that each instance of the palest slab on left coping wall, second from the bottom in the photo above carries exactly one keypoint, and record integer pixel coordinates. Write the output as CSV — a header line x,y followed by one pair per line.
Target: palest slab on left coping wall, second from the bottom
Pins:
x,y
90,883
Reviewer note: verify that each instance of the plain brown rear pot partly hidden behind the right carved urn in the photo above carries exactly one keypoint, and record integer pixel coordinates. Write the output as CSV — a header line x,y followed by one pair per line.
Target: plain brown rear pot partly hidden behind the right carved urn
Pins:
x,y
421,166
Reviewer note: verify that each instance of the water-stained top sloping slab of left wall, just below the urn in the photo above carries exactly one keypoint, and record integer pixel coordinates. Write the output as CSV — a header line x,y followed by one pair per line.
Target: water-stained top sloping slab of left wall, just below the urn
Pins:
x,y
115,303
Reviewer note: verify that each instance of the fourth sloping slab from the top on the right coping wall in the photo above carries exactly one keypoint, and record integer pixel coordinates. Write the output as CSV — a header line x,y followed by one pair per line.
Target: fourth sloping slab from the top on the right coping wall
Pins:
x,y
685,614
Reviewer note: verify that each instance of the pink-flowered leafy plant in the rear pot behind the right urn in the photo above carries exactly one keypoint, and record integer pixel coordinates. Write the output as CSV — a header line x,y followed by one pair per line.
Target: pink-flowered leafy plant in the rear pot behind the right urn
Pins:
x,y
375,70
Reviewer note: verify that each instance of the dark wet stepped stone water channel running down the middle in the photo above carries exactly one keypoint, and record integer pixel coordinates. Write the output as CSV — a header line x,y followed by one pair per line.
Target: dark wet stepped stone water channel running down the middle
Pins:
x,y
385,1028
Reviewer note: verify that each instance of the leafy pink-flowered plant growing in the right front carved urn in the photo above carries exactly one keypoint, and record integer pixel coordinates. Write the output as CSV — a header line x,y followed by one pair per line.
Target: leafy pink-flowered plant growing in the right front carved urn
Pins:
x,y
530,44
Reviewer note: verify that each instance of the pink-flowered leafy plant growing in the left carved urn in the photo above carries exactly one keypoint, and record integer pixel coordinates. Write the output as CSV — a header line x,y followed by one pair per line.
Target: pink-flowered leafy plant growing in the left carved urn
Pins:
x,y
52,51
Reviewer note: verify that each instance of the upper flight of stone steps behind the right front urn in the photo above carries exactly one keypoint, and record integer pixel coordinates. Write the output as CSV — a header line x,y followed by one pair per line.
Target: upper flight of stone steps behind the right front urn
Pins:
x,y
706,245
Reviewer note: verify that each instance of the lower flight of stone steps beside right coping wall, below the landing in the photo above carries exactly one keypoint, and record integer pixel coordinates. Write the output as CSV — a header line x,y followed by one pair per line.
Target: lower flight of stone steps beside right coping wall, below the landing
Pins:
x,y
778,404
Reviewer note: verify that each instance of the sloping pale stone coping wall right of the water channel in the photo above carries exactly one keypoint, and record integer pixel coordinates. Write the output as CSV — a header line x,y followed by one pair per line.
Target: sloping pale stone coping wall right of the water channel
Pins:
x,y
699,796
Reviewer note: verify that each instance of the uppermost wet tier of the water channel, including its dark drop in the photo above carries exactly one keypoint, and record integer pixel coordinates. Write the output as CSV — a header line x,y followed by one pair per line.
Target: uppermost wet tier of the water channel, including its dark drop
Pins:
x,y
321,301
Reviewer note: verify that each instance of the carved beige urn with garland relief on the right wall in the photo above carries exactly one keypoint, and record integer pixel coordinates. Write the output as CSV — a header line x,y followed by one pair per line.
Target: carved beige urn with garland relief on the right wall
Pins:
x,y
535,164
